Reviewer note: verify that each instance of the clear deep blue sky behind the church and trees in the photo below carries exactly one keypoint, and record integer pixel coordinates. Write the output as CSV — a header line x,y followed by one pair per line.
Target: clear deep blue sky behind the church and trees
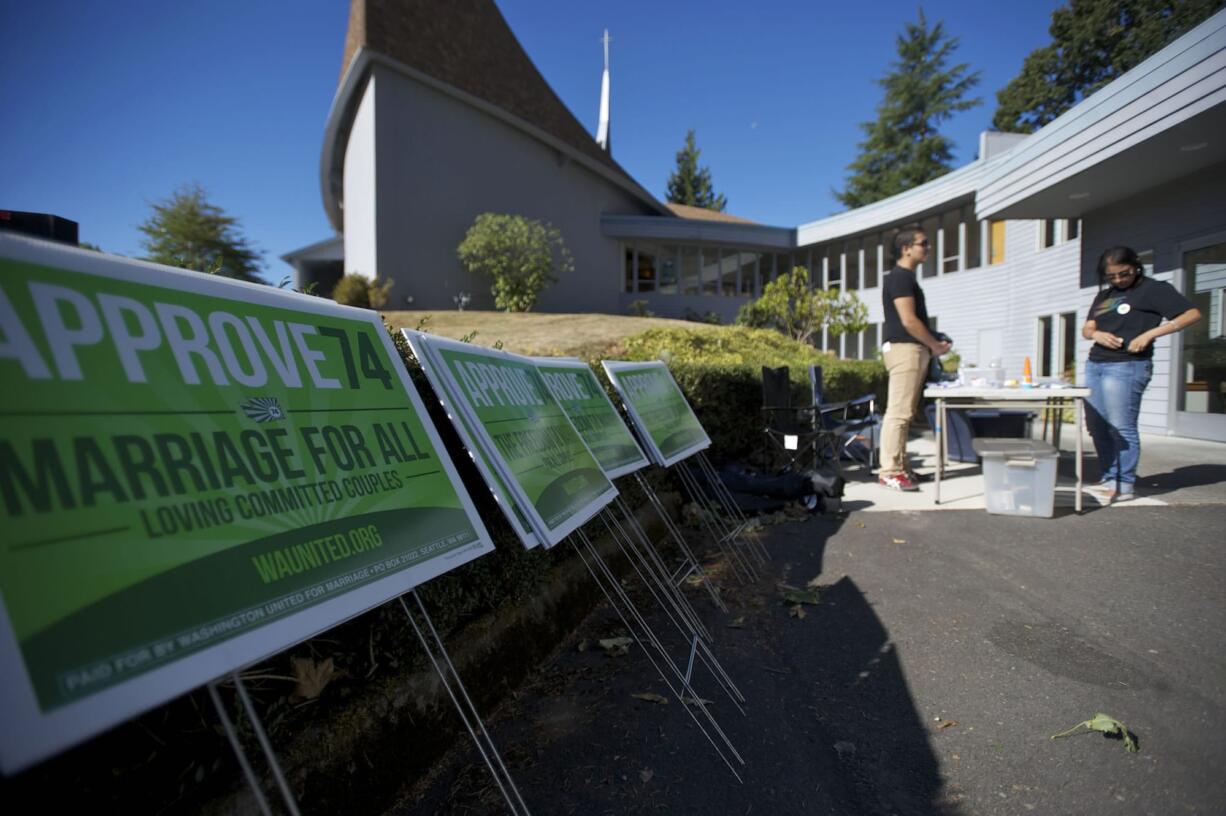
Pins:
x,y
112,106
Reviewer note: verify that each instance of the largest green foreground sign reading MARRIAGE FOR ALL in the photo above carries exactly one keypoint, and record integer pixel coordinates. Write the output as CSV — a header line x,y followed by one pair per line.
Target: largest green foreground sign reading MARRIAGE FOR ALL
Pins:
x,y
196,474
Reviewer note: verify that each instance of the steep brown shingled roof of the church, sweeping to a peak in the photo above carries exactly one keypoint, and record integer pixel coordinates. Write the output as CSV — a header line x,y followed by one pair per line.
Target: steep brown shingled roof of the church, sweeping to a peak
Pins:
x,y
469,46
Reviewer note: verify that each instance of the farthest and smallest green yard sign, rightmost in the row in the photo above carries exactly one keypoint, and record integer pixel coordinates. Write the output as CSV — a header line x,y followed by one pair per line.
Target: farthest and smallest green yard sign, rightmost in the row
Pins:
x,y
659,410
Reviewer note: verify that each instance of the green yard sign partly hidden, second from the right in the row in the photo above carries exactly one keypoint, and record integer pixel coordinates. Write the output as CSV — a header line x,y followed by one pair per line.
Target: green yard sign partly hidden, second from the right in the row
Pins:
x,y
574,385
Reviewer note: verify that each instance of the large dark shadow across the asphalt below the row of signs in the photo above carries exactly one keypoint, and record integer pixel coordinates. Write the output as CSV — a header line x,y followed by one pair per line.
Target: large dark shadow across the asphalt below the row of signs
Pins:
x,y
831,726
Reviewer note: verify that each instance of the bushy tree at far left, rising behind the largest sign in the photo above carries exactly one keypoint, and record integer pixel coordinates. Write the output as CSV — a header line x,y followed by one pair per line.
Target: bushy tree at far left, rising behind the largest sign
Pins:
x,y
189,232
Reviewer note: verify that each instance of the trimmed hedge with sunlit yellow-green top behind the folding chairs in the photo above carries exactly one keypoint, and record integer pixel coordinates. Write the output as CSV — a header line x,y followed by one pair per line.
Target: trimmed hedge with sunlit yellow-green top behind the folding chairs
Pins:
x,y
720,373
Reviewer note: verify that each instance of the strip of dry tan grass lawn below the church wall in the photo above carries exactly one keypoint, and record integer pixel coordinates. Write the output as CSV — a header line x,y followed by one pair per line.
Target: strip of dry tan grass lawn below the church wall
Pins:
x,y
547,335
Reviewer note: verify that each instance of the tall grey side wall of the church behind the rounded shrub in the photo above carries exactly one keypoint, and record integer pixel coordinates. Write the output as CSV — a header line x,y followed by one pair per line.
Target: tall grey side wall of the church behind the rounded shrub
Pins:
x,y
443,162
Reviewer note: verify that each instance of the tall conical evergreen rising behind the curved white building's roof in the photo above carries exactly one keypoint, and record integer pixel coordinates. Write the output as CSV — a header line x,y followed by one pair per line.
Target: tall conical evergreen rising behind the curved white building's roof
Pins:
x,y
903,148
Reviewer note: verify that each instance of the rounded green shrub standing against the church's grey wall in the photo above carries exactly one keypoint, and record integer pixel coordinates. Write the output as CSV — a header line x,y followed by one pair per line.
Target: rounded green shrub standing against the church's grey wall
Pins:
x,y
520,255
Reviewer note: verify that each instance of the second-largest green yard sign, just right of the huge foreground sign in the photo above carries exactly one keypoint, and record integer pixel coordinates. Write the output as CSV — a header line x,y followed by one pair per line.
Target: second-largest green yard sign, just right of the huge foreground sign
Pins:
x,y
525,434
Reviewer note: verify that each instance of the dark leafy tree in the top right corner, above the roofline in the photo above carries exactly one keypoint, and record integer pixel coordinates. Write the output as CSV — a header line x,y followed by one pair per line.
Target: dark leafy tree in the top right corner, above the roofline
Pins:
x,y
1093,43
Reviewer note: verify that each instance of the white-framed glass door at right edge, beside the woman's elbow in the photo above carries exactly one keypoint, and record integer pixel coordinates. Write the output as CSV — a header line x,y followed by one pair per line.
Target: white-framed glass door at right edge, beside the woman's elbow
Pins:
x,y
1202,396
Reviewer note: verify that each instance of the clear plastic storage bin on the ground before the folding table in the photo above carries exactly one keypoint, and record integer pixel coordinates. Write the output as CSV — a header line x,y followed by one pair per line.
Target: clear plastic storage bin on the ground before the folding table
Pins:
x,y
1019,476
